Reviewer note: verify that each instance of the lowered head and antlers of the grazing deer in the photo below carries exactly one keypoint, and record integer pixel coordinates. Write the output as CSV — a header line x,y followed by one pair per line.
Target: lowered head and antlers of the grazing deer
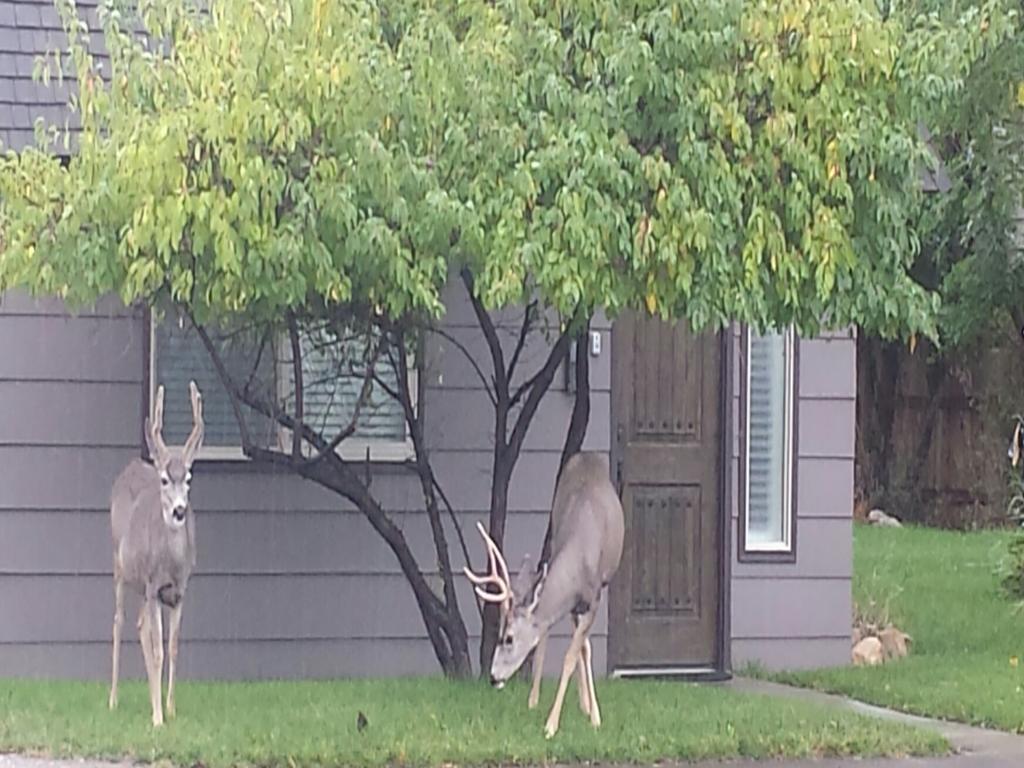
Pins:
x,y
520,631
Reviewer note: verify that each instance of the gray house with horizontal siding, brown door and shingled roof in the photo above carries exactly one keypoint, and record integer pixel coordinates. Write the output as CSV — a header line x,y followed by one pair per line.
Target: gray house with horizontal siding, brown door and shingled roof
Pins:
x,y
735,455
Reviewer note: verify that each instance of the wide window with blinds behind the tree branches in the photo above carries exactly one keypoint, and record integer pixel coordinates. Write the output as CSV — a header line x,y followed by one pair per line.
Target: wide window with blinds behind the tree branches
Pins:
x,y
333,377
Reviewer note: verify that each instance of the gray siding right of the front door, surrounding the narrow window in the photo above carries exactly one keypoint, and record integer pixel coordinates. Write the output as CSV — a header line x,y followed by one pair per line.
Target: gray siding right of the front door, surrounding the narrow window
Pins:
x,y
799,614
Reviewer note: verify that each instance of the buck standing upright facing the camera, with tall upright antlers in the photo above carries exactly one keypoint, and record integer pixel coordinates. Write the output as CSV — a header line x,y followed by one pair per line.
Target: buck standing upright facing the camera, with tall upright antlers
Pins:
x,y
155,547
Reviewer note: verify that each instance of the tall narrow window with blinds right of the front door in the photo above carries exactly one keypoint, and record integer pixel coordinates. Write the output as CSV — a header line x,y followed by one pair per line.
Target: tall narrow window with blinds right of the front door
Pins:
x,y
770,442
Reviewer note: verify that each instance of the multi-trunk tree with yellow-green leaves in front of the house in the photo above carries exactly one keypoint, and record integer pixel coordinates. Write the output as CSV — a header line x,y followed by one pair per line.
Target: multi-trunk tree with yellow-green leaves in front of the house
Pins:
x,y
301,167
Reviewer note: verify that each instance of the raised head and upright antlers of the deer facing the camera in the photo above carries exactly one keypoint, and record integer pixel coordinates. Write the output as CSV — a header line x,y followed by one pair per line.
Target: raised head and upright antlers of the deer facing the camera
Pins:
x,y
175,465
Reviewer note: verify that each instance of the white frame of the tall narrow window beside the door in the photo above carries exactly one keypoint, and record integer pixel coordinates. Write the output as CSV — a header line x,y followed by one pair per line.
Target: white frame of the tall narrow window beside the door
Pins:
x,y
786,546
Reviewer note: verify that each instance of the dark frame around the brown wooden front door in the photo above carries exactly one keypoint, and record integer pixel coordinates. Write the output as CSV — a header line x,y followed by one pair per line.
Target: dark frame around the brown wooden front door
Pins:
x,y
723,662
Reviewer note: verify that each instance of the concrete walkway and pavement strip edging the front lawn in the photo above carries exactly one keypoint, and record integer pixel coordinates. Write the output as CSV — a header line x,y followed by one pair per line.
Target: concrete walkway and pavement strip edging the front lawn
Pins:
x,y
975,748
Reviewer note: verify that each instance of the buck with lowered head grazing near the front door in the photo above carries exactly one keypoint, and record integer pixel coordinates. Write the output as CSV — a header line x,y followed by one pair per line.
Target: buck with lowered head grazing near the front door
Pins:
x,y
586,547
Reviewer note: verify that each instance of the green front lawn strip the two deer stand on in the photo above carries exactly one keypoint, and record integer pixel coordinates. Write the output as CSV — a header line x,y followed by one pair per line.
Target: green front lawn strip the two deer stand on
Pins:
x,y
432,723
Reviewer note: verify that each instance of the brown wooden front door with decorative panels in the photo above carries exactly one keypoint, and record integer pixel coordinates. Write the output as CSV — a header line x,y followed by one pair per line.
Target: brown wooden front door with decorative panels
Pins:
x,y
667,391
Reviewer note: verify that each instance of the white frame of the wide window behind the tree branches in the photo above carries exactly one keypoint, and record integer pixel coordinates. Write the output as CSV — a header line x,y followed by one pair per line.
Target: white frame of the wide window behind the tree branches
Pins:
x,y
353,449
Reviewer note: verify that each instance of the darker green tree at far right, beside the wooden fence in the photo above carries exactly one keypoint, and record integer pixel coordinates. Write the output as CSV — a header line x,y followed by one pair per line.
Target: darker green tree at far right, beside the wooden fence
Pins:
x,y
970,236
